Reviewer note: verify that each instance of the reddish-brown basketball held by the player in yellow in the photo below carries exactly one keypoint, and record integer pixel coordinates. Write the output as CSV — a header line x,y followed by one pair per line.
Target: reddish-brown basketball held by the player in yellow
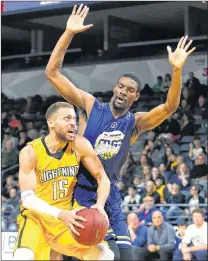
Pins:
x,y
95,229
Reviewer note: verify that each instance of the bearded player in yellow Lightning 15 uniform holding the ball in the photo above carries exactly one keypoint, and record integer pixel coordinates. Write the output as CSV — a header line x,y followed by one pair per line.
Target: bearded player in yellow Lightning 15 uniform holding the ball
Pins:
x,y
47,176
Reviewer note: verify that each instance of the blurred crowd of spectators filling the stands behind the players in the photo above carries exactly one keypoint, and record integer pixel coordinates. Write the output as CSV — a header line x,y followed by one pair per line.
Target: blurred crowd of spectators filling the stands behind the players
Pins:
x,y
167,167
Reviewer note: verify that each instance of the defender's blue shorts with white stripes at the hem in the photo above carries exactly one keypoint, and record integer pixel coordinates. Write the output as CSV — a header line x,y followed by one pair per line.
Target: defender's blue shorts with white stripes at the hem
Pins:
x,y
118,228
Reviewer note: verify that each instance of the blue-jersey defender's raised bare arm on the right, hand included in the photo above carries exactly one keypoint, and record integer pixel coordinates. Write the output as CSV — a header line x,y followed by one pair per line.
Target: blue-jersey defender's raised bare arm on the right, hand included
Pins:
x,y
150,120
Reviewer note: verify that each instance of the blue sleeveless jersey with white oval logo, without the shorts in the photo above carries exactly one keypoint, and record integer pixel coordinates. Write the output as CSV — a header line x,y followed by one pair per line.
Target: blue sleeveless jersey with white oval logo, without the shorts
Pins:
x,y
110,139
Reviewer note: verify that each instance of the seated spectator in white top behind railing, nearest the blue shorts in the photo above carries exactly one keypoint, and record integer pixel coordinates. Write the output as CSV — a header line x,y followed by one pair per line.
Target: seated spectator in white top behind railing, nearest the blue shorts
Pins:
x,y
131,198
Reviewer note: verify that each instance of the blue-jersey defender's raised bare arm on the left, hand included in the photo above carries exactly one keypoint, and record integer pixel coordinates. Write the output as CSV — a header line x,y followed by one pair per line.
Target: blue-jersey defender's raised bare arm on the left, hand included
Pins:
x,y
64,86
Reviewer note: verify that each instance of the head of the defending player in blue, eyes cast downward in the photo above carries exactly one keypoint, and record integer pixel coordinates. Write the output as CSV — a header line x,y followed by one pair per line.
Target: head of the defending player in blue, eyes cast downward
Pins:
x,y
126,91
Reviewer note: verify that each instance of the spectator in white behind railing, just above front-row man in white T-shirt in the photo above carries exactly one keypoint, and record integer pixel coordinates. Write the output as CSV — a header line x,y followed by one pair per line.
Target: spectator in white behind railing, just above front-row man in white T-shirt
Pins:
x,y
194,199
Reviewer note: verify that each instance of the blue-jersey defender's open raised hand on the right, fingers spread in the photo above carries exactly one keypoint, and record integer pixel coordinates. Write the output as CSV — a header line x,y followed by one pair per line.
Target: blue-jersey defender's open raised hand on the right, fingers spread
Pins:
x,y
178,58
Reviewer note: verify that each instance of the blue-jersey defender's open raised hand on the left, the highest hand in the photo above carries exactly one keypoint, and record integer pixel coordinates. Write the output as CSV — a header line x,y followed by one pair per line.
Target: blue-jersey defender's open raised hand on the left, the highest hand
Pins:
x,y
76,20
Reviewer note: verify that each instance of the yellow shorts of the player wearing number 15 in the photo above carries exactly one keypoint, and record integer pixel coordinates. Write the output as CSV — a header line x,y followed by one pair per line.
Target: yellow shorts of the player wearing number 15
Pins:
x,y
41,234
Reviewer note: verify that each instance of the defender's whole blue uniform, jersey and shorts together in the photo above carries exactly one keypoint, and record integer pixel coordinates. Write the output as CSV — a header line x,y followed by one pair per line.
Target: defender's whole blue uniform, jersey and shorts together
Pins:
x,y
110,139
